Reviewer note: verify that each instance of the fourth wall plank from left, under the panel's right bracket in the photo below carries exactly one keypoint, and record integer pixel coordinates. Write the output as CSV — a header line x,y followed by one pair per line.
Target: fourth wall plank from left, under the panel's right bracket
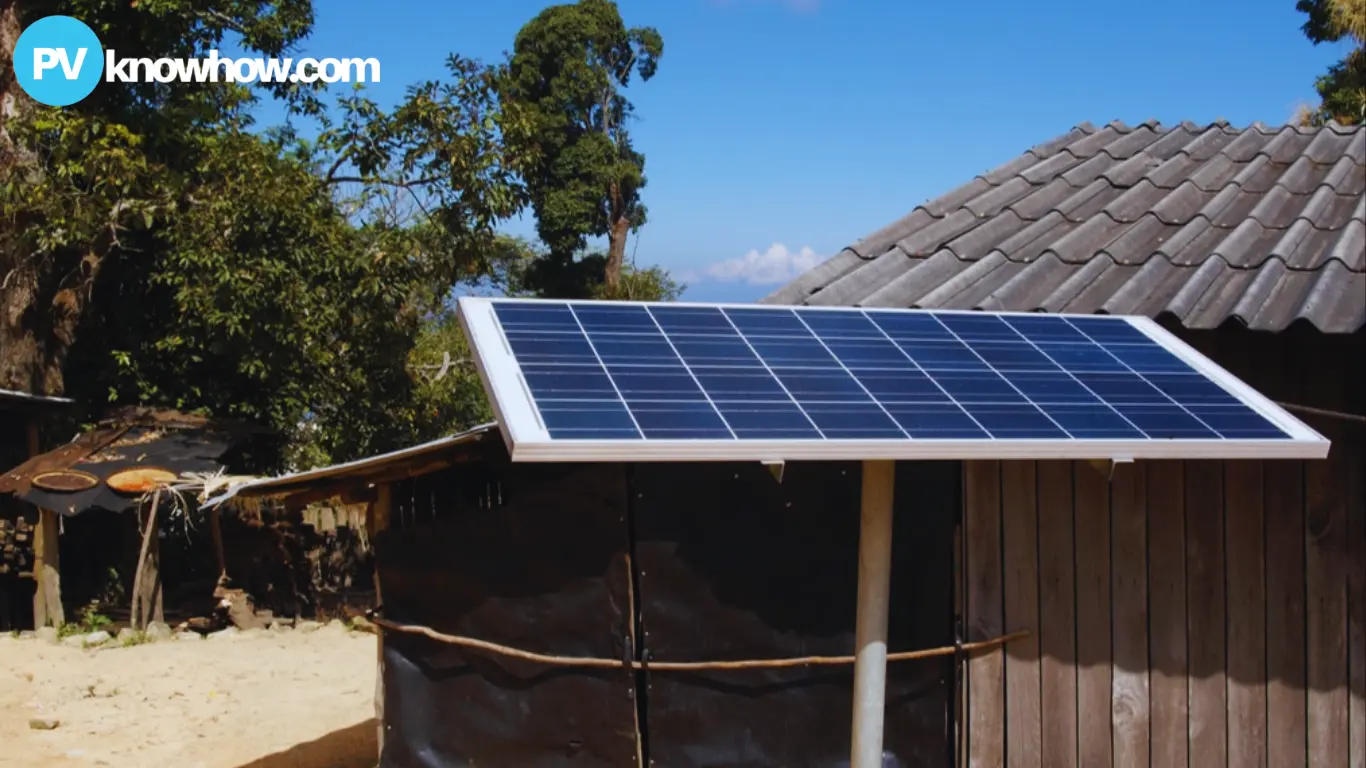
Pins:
x,y
1093,617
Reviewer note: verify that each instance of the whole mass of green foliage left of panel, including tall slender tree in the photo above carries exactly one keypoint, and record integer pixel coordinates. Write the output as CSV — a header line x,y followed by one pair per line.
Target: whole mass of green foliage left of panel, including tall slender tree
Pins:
x,y
156,248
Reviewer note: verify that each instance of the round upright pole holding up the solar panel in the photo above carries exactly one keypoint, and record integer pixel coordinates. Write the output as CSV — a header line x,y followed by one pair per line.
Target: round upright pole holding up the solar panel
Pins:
x,y
875,584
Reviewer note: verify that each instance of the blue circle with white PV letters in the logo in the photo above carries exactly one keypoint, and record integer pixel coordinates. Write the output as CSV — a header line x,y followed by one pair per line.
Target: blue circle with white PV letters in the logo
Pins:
x,y
58,61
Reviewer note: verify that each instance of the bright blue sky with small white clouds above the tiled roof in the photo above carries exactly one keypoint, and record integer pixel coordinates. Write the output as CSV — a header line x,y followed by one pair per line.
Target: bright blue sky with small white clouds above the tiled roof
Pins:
x,y
778,132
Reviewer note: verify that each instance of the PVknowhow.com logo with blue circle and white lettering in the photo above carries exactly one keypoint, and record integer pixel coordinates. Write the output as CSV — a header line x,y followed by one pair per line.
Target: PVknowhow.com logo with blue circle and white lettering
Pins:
x,y
59,61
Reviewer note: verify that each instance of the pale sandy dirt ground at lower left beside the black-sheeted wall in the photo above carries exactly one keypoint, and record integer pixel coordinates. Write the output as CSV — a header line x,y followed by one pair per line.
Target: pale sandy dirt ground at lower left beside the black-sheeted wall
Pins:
x,y
270,700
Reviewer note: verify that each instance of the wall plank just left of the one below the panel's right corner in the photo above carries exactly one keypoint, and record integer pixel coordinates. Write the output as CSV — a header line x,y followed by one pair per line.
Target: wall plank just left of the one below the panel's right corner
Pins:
x,y
1286,699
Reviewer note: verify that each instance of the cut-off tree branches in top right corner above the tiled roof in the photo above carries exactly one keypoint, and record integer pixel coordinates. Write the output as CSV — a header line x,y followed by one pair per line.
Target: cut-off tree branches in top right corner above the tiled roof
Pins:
x,y
1343,88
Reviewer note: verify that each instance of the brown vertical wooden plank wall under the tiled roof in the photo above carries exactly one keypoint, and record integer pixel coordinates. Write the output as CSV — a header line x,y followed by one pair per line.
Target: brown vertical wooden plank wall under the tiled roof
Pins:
x,y
1184,613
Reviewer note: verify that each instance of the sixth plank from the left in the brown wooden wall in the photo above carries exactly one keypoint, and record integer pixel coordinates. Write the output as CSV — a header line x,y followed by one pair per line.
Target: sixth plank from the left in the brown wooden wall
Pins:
x,y
1167,613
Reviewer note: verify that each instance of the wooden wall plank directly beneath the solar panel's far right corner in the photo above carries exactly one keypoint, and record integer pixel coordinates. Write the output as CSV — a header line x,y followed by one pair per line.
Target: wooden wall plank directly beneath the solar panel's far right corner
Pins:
x,y
1326,575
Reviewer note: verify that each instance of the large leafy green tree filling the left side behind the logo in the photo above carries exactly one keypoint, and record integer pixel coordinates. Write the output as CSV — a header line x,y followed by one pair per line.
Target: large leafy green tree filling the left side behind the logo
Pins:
x,y
156,249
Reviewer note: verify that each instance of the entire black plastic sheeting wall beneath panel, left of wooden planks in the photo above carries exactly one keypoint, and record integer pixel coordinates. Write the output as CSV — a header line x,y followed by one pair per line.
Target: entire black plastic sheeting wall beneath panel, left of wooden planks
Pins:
x,y
729,564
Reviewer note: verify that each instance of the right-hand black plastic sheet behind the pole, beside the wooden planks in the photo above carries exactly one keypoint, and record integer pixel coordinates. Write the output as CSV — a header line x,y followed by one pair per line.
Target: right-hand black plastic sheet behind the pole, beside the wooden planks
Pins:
x,y
738,566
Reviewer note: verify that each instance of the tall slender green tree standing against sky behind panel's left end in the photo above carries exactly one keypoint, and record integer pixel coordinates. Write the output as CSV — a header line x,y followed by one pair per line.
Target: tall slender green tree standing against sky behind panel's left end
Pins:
x,y
565,80
